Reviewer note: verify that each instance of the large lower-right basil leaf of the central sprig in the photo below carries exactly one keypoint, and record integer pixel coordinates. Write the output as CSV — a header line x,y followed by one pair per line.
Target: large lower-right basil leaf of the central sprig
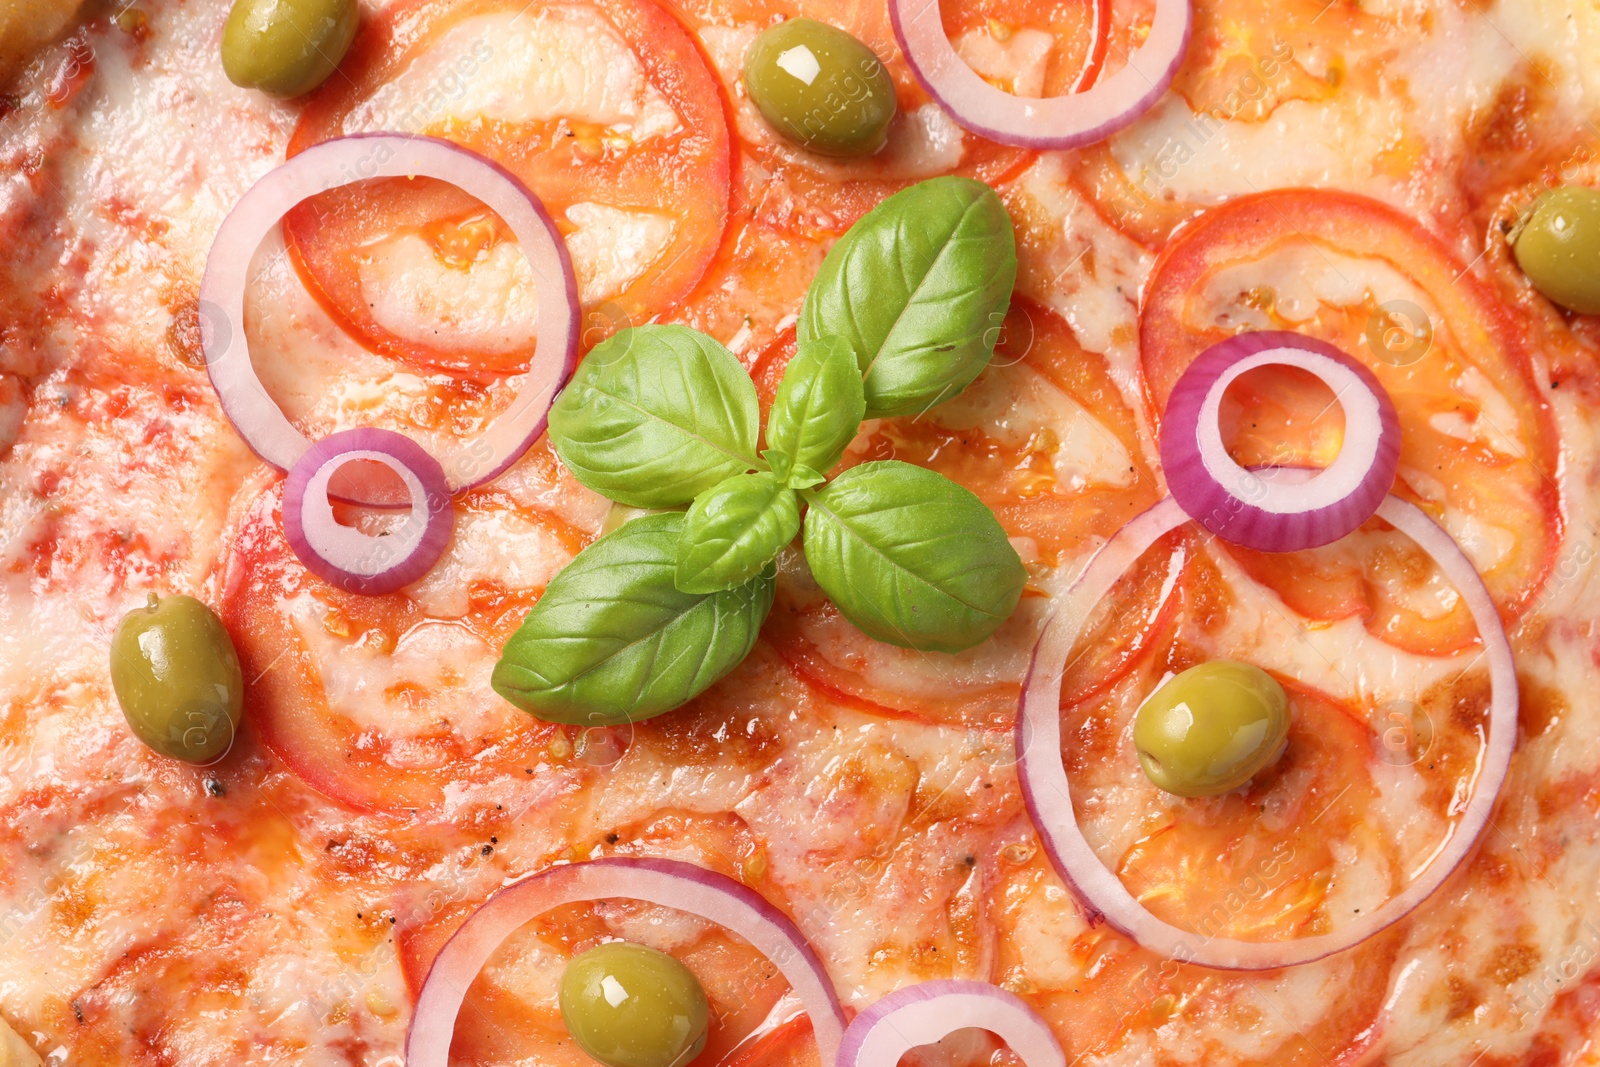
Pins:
x,y
911,557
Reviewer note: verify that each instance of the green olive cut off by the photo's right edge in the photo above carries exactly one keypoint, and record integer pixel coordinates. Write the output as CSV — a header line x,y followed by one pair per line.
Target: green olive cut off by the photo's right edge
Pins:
x,y
1558,246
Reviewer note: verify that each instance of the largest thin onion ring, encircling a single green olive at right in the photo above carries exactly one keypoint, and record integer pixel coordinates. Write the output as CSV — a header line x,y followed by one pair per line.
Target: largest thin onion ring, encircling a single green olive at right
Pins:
x,y
1049,797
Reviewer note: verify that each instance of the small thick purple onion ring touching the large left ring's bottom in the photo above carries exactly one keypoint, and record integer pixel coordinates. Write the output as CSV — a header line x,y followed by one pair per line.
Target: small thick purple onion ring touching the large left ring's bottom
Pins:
x,y
346,557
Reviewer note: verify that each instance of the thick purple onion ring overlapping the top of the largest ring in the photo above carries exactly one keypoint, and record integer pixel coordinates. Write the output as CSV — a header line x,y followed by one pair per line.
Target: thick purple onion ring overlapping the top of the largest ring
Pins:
x,y
1262,511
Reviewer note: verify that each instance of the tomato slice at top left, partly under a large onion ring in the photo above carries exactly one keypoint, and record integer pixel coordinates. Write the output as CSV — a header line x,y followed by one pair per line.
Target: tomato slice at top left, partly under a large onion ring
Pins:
x,y
634,169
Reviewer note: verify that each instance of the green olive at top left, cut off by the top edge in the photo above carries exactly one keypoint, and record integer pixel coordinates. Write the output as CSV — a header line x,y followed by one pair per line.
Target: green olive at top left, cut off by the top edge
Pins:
x,y
287,47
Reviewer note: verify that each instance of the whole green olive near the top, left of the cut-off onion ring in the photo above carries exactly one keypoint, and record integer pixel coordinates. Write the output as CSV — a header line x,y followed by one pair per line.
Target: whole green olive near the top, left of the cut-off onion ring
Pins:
x,y
822,89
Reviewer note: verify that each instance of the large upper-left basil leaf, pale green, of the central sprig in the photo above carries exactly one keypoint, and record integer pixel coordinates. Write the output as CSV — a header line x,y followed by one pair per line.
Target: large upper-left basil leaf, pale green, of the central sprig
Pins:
x,y
655,417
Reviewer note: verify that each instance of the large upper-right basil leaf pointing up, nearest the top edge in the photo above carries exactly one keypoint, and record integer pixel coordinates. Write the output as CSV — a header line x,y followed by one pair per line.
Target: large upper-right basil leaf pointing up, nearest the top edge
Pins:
x,y
919,289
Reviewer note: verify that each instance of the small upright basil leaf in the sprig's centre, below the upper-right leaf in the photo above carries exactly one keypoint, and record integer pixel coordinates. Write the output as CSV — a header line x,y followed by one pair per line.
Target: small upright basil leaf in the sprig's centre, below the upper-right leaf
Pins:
x,y
820,406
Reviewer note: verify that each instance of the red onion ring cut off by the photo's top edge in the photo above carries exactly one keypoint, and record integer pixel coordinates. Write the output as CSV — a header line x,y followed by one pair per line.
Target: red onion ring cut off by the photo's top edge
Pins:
x,y
1054,122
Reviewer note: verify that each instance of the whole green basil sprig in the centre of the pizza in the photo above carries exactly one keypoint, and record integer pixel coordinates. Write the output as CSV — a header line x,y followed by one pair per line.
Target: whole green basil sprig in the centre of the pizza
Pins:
x,y
903,314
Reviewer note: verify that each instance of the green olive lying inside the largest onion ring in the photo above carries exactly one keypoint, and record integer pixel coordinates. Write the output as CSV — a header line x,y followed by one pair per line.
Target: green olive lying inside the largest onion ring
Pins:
x,y
1212,729
